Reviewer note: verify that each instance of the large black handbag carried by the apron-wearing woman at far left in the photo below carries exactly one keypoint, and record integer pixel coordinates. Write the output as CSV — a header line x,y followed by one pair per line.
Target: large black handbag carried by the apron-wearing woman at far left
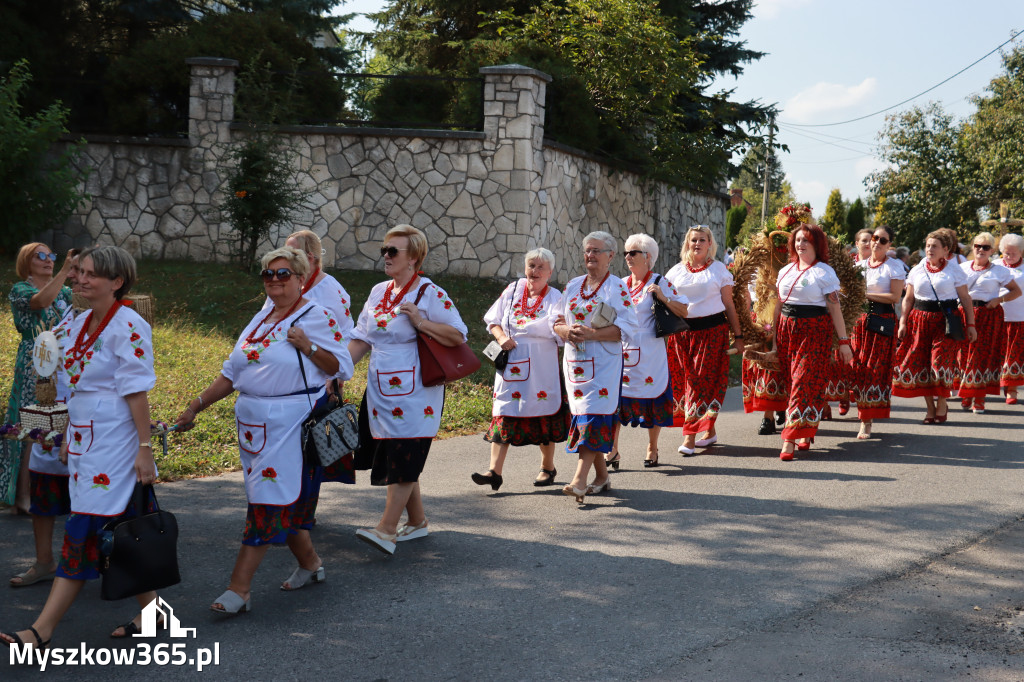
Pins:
x,y
141,553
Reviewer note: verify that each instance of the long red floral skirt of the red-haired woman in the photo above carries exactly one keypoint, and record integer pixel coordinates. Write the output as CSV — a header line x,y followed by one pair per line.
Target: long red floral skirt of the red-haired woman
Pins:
x,y
804,348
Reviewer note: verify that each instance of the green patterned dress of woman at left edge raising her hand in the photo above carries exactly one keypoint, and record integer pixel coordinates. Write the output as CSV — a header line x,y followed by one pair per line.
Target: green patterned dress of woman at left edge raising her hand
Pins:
x,y
29,324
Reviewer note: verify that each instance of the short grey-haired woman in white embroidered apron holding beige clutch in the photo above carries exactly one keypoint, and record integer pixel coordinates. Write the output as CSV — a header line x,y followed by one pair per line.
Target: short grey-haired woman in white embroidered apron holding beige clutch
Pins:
x,y
598,317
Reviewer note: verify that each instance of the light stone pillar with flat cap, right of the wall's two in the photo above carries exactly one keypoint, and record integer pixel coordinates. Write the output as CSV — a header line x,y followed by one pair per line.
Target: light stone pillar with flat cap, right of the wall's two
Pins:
x,y
514,152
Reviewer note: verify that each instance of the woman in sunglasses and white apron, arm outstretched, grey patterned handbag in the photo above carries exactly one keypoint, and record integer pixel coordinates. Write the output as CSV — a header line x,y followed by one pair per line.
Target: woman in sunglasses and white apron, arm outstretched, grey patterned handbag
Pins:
x,y
267,367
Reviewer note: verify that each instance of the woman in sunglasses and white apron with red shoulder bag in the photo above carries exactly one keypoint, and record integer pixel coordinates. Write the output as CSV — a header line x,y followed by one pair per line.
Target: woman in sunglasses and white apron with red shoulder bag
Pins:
x,y
400,416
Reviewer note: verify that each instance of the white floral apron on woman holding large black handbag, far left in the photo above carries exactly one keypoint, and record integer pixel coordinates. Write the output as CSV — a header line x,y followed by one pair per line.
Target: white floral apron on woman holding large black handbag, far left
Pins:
x,y
103,444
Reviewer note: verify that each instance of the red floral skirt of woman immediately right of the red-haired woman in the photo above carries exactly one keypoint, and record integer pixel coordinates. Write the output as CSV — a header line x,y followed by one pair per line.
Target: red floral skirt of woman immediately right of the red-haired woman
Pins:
x,y
871,378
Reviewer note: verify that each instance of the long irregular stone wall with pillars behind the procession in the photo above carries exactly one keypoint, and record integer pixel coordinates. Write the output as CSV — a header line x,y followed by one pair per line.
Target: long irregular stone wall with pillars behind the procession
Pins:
x,y
484,199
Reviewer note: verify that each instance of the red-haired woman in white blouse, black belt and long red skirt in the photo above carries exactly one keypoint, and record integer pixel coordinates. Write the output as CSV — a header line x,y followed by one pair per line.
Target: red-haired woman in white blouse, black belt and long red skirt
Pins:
x,y
807,313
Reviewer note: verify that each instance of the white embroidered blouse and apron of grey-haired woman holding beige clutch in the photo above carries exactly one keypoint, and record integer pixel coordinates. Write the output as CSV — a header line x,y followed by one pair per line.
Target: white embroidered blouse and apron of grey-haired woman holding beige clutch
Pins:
x,y
594,373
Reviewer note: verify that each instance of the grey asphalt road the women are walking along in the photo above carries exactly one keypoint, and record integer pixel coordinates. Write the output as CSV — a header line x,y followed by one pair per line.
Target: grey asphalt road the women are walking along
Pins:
x,y
860,561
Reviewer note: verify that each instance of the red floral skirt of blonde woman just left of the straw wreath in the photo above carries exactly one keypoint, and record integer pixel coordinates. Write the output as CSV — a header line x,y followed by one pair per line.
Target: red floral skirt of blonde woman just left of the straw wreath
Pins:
x,y
699,370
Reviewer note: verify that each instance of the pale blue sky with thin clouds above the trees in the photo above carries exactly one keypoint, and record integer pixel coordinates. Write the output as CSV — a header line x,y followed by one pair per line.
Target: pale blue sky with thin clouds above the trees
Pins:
x,y
829,61
